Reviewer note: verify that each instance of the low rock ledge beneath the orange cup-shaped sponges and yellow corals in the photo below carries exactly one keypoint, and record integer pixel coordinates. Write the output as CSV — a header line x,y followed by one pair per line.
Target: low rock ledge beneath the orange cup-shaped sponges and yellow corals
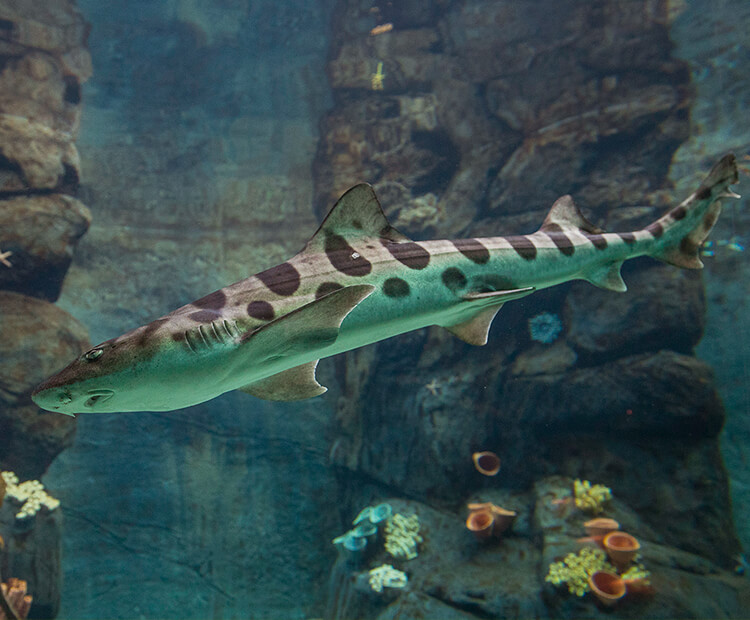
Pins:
x,y
457,576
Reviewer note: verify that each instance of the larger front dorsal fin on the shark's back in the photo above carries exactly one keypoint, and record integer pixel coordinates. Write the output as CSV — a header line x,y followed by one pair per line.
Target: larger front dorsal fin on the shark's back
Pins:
x,y
356,214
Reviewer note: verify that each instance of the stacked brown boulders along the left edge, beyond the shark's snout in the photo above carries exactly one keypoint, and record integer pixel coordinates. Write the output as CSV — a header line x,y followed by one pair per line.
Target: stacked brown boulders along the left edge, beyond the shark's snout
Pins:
x,y
43,61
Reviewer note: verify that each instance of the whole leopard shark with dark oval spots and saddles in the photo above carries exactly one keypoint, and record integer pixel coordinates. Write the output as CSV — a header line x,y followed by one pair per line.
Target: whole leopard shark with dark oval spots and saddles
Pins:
x,y
358,281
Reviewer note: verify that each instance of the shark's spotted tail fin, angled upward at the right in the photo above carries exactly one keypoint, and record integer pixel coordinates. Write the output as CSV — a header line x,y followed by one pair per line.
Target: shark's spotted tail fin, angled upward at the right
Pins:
x,y
680,233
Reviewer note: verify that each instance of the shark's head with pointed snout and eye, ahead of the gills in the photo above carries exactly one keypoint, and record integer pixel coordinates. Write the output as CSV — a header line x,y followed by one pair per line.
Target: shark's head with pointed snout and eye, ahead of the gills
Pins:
x,y
115,376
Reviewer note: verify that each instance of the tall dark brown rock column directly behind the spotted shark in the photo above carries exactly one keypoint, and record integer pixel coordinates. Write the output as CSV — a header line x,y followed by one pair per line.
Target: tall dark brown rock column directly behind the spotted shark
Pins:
x,y
470,118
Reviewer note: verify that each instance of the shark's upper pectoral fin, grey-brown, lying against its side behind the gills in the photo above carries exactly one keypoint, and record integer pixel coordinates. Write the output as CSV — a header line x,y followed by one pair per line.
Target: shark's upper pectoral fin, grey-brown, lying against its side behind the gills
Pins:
x,y
313,326
